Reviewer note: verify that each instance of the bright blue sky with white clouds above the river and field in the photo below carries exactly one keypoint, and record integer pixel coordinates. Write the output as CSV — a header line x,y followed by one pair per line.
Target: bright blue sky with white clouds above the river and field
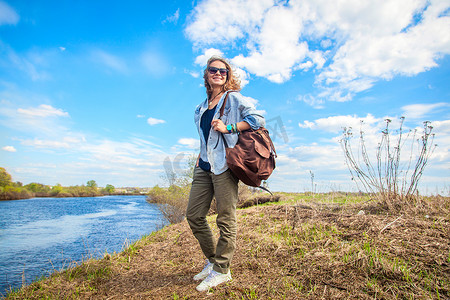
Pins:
x,y
106,90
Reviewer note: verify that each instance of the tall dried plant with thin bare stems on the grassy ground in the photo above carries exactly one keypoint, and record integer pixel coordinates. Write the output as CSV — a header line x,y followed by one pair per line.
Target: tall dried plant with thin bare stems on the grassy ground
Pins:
x,y
390,177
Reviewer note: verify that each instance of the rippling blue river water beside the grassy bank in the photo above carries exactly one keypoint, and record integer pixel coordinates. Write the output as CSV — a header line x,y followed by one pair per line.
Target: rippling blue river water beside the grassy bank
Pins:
x,y
42,235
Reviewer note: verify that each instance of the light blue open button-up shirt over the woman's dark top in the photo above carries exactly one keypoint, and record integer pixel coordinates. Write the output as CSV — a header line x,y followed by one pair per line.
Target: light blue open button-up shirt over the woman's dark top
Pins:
x,y
238,108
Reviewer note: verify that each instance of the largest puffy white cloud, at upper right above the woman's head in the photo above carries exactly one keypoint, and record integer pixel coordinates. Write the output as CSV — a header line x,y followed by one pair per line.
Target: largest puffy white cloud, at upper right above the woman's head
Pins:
x,y
350,44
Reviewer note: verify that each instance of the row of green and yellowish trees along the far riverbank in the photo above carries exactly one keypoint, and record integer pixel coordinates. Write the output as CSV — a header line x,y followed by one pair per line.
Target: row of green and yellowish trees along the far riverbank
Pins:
x,y
10,190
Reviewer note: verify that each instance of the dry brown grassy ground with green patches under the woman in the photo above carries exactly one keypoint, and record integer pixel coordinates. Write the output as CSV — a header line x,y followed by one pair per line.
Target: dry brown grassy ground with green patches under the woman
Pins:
x,y
323,246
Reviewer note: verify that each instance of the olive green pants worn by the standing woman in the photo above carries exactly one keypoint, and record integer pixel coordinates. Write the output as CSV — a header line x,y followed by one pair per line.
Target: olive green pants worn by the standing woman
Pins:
x,y
224,188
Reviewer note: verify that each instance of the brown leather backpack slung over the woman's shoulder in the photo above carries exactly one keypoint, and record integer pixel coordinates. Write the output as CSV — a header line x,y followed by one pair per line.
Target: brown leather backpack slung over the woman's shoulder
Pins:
x,y
253,158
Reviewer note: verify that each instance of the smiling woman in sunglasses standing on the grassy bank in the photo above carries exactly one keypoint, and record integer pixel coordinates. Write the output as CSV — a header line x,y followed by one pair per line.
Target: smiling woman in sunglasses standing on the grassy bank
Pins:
x,y
212,178
